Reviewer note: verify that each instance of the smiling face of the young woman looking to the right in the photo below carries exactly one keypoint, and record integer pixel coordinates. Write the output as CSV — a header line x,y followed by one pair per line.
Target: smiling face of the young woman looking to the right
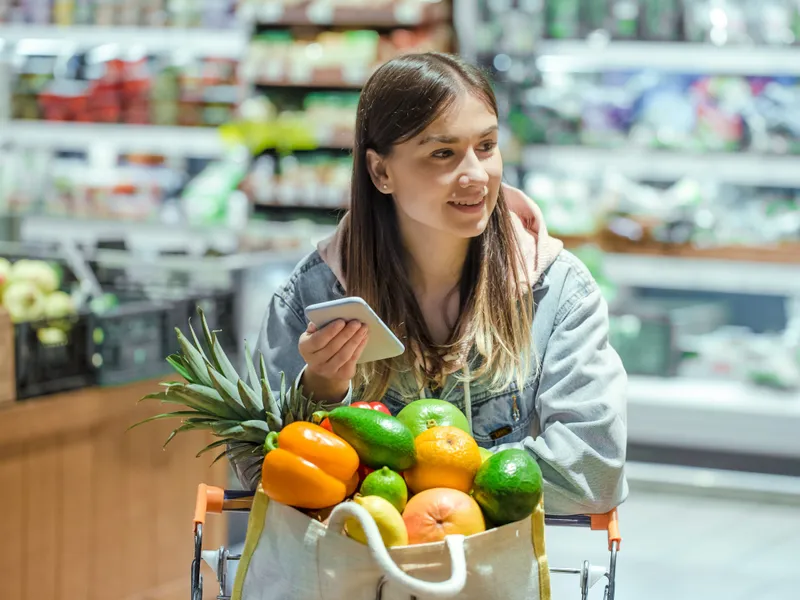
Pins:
x,y
448,177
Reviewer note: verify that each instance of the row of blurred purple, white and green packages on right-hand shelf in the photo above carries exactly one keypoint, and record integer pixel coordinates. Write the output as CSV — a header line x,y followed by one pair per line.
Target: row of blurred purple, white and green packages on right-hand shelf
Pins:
x,y
699,113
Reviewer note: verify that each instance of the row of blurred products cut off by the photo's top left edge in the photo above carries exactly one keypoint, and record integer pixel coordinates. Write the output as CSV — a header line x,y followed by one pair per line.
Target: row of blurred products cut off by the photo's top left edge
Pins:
x,y
150,13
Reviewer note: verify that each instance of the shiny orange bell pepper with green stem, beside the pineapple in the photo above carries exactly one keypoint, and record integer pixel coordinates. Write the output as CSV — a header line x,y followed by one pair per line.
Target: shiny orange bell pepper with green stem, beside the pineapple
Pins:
x,y
307,466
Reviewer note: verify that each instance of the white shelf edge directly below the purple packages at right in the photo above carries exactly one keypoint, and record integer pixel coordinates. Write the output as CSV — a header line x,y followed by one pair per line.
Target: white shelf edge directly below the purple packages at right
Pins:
x,y
652,165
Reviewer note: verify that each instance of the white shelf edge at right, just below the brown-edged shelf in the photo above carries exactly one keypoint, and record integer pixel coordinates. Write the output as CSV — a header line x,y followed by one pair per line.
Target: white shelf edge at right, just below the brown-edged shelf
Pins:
x,y
710,275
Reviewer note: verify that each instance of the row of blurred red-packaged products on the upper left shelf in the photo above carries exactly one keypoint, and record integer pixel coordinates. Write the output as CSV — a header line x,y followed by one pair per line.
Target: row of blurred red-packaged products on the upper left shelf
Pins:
x,y
108,85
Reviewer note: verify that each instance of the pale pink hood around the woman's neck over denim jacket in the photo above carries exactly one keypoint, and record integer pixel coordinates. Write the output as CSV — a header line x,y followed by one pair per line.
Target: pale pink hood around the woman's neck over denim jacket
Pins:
x,y
537,248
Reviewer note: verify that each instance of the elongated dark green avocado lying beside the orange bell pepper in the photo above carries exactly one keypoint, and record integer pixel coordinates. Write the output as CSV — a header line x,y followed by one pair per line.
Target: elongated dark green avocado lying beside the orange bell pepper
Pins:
x,y
379,439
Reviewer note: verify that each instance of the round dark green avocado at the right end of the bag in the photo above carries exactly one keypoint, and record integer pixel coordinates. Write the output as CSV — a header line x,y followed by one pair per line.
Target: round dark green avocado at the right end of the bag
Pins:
x,y
508,486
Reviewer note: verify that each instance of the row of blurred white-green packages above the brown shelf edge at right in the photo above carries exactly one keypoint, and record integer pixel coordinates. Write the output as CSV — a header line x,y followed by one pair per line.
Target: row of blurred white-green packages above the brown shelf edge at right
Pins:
x,y
689,218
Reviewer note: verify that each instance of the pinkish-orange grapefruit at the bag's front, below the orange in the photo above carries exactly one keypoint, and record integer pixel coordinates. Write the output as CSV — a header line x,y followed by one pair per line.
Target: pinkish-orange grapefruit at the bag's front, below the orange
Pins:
x,y
433,514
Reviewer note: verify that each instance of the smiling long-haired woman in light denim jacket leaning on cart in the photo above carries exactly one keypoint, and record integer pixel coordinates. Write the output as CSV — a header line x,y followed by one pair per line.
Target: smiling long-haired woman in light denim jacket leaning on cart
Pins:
x,y
496,317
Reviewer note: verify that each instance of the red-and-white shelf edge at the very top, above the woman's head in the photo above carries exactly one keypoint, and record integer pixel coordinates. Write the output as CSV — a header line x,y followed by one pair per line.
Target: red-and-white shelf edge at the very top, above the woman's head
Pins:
x,y
323,12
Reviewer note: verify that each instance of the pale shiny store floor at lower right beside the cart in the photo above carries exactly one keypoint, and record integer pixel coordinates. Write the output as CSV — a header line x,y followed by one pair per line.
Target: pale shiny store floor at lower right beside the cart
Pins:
x,y
681,547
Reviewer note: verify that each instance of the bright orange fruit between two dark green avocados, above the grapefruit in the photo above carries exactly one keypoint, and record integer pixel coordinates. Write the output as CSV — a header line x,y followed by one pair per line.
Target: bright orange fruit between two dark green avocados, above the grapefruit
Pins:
x,y
447,457
